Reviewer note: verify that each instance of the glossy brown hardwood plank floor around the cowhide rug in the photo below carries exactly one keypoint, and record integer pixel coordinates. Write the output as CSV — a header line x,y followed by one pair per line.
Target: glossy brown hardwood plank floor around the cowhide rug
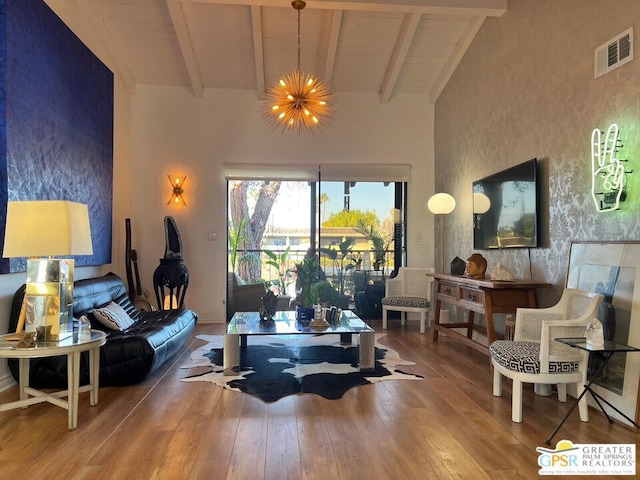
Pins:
x,y
447,425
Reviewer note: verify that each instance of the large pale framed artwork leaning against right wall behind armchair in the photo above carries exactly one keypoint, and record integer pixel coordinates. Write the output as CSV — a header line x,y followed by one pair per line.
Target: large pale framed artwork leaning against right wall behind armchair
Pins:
x,y
613,269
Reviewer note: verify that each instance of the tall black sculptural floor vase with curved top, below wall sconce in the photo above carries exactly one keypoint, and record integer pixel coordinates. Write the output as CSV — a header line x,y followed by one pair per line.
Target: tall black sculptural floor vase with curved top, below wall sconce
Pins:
x,y
172,272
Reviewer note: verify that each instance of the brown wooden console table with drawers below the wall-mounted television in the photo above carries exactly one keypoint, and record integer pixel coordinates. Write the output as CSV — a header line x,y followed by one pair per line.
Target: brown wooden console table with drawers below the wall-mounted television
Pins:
x,y
480,296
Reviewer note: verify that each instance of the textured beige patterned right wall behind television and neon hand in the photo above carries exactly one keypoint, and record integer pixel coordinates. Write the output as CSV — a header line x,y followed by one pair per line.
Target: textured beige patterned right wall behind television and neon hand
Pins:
x,y
525,89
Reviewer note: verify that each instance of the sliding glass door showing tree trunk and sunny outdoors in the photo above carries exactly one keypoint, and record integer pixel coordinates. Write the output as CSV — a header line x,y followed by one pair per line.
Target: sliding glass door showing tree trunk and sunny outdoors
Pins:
x,y
350,226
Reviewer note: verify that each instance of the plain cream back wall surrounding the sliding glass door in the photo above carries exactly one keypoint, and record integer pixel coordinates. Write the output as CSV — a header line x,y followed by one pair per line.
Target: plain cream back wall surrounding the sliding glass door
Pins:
x,y
175,133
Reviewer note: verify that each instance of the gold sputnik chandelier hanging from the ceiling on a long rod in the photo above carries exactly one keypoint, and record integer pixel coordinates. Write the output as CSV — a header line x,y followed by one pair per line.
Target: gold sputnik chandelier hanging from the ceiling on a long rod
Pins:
x,y
297,100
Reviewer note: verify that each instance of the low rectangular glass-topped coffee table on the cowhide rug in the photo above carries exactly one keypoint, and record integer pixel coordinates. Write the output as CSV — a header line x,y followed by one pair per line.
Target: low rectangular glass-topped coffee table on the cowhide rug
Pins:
x,y
247,324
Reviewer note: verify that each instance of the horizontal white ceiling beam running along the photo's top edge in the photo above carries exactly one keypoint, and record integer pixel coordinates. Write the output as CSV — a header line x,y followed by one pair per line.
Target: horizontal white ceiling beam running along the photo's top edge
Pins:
x,y
484,8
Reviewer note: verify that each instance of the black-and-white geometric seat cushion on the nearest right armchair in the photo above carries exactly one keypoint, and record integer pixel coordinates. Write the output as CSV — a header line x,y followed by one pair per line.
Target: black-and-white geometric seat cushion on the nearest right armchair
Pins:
x,y
525,357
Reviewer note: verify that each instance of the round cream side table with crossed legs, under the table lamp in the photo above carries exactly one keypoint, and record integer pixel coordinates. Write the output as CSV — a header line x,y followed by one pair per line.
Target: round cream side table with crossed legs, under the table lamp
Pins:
x,y
72,349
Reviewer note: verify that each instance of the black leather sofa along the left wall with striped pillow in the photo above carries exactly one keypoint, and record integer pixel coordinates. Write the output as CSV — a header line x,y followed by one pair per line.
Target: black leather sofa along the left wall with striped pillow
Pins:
x,y
128,356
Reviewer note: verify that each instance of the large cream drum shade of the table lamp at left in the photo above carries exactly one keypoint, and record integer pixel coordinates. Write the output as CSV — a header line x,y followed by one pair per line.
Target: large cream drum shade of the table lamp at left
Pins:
x,y
46,229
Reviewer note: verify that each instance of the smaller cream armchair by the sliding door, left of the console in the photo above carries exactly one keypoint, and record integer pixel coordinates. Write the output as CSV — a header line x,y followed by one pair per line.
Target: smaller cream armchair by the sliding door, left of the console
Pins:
x,y
409,291
